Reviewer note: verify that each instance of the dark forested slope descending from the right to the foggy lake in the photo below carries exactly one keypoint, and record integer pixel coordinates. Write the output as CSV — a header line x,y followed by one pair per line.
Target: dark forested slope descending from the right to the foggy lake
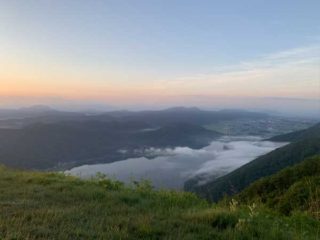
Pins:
x,y
306,145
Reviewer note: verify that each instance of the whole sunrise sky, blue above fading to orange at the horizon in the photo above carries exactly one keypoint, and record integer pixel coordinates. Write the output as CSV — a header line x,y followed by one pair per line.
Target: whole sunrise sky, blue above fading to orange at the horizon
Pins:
x,y
153,53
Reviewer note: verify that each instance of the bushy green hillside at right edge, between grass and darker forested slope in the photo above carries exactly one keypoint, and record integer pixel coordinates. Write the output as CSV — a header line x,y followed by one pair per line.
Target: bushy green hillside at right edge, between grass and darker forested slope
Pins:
x,y
293,188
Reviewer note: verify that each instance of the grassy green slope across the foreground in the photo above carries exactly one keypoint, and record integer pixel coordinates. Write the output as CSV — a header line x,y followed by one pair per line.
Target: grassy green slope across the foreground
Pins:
x,y
52,206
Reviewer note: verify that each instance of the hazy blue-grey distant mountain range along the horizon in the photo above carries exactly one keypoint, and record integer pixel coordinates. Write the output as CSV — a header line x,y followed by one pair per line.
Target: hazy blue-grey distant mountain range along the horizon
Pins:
x,y
41,114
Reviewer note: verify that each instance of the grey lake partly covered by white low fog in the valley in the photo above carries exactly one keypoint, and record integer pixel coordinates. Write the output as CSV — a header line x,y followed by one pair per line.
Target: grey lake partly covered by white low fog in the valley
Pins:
x,y
175,166
